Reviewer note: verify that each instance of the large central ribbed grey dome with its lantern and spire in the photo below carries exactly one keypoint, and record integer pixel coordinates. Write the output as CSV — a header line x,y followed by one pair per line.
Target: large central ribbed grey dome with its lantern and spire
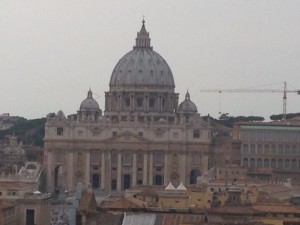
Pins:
x,y
142,67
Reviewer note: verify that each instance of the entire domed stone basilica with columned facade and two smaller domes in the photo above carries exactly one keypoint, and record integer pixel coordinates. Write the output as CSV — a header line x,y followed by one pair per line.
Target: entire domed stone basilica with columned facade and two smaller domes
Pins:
x,y
144,137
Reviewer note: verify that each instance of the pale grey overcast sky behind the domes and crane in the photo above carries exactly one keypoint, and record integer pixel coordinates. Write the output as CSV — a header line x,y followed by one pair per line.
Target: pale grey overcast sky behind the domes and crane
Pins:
x,y
53,51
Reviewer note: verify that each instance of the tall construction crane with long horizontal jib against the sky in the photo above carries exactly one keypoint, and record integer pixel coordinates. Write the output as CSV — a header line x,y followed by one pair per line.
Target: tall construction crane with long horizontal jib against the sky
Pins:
x,y
252,90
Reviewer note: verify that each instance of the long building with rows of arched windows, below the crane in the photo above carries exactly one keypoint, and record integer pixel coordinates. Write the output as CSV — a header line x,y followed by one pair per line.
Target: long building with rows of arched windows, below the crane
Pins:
x,y
270,151
